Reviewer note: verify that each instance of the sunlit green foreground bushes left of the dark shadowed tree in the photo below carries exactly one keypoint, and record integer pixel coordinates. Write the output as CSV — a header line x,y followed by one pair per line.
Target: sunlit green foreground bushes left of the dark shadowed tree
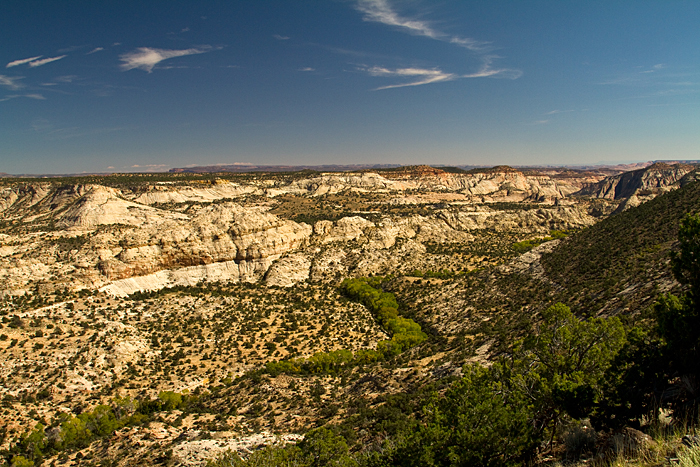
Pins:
x,y
502,415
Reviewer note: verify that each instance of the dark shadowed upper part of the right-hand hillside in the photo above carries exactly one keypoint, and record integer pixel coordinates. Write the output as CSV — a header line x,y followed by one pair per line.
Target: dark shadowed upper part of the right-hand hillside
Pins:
x,y
622,263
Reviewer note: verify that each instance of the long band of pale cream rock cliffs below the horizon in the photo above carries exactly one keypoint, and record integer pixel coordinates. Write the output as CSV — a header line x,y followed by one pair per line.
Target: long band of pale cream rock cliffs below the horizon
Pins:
x,y
142,236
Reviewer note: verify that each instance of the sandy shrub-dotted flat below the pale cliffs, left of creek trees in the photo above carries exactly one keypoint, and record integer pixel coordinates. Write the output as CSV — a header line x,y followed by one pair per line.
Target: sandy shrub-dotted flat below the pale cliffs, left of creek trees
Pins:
x,y
185,337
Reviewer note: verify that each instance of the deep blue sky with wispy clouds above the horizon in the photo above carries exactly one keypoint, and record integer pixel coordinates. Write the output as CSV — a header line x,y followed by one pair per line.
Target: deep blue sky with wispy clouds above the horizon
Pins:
x,y
144,86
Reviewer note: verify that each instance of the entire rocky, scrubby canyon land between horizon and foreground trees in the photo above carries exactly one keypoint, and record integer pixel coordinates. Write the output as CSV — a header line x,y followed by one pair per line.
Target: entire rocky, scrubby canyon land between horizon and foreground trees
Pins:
x,y
163,297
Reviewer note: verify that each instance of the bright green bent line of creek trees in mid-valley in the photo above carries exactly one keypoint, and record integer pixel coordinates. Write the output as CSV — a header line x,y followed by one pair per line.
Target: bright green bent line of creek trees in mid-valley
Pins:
x,y
405,333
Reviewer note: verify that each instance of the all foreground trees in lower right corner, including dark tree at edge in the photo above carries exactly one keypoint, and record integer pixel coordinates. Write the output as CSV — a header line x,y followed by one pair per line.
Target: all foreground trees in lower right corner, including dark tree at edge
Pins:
x,y
597,374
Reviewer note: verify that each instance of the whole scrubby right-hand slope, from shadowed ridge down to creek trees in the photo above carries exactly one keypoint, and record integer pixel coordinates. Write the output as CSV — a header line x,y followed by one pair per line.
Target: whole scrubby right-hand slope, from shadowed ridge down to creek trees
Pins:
x,y
618,266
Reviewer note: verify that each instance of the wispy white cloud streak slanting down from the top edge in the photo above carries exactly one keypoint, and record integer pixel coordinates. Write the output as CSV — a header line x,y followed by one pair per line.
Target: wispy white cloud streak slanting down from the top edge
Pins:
x,y
380,11
